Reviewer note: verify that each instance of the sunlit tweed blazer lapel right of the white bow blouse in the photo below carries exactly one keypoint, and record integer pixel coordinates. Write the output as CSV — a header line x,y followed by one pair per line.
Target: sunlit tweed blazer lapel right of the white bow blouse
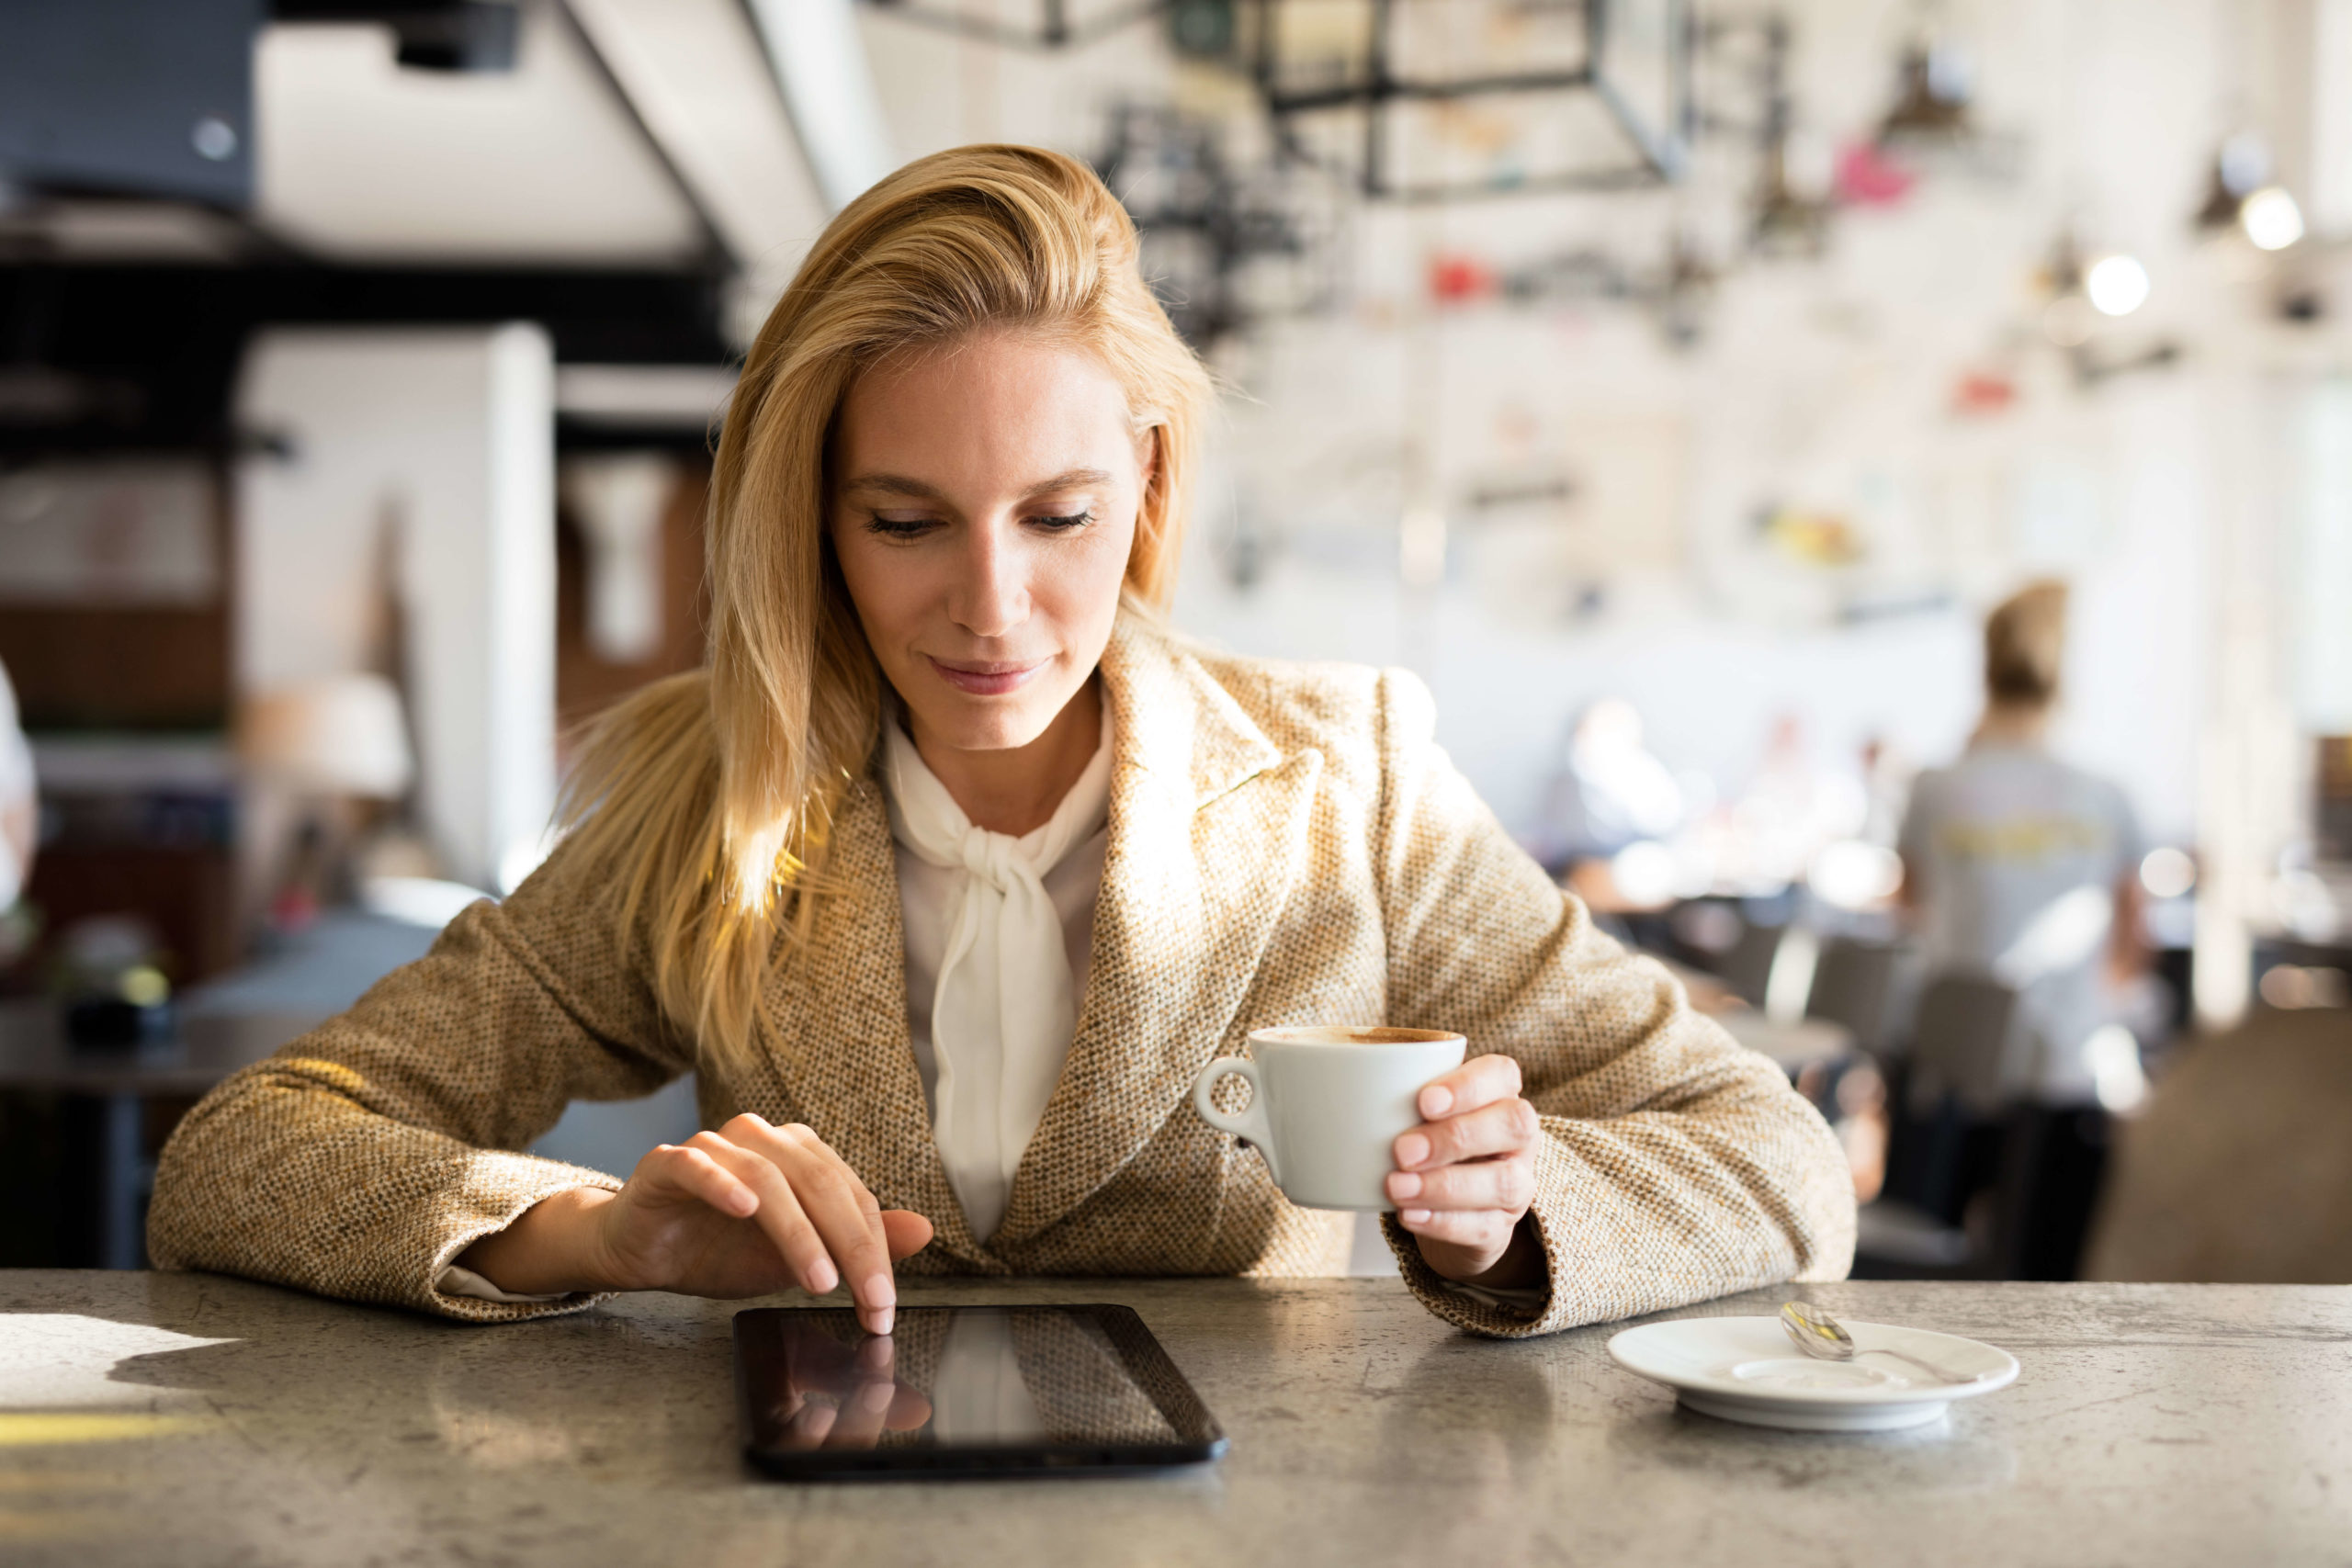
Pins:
x,y
1208,836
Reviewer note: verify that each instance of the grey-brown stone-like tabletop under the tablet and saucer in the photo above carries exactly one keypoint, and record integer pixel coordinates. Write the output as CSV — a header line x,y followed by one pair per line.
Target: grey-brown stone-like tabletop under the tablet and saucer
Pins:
x,y
185,1419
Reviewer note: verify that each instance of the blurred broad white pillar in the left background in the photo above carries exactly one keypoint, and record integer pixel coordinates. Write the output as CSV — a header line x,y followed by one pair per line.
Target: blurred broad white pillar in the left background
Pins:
x,y
427,457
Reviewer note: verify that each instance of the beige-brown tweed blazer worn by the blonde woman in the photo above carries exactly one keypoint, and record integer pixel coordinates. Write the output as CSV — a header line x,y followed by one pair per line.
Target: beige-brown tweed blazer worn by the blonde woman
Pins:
x,y
1288,845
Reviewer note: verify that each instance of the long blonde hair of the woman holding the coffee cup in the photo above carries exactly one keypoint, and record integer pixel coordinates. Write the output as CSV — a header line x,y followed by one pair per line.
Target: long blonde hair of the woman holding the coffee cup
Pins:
x,y
707,803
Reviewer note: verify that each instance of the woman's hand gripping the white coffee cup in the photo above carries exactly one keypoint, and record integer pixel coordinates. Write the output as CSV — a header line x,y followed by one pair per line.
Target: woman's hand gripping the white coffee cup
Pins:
x,y
1466,1177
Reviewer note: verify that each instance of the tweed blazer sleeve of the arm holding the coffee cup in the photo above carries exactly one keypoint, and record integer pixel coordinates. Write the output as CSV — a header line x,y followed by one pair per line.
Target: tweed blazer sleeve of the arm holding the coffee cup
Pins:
x,y
1676,1165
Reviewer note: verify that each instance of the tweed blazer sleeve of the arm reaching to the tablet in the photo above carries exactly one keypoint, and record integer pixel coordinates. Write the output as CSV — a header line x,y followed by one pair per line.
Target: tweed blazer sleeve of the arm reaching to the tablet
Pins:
x,y
368,1155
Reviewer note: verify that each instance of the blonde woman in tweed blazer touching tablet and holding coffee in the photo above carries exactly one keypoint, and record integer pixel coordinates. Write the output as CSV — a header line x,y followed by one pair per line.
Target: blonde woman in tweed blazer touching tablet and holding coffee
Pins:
x,y
954,871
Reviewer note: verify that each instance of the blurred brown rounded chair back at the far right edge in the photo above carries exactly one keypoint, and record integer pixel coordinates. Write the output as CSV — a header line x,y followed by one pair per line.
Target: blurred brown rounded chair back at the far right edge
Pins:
x,y
2240,1165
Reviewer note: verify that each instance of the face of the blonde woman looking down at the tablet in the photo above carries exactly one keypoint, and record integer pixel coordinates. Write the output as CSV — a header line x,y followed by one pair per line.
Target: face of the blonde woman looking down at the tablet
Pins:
x,y
982,511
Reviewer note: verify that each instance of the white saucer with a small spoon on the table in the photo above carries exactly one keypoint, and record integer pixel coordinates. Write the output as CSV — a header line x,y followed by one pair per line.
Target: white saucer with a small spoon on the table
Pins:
x,y
1746,1369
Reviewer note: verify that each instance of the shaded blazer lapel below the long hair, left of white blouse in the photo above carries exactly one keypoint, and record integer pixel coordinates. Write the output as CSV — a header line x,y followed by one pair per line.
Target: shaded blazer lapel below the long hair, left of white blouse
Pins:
x,y
843,1052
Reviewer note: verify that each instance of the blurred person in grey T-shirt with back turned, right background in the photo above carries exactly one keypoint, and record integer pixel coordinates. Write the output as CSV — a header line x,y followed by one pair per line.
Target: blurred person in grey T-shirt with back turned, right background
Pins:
x,y
2024,869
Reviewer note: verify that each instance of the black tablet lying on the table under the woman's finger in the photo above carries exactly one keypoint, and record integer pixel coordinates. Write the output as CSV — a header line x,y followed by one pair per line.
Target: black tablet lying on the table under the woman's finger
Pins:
x,y
963,1393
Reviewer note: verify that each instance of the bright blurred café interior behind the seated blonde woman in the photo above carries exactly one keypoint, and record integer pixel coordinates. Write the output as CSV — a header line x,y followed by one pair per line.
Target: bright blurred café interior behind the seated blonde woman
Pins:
x,y
1673,391
